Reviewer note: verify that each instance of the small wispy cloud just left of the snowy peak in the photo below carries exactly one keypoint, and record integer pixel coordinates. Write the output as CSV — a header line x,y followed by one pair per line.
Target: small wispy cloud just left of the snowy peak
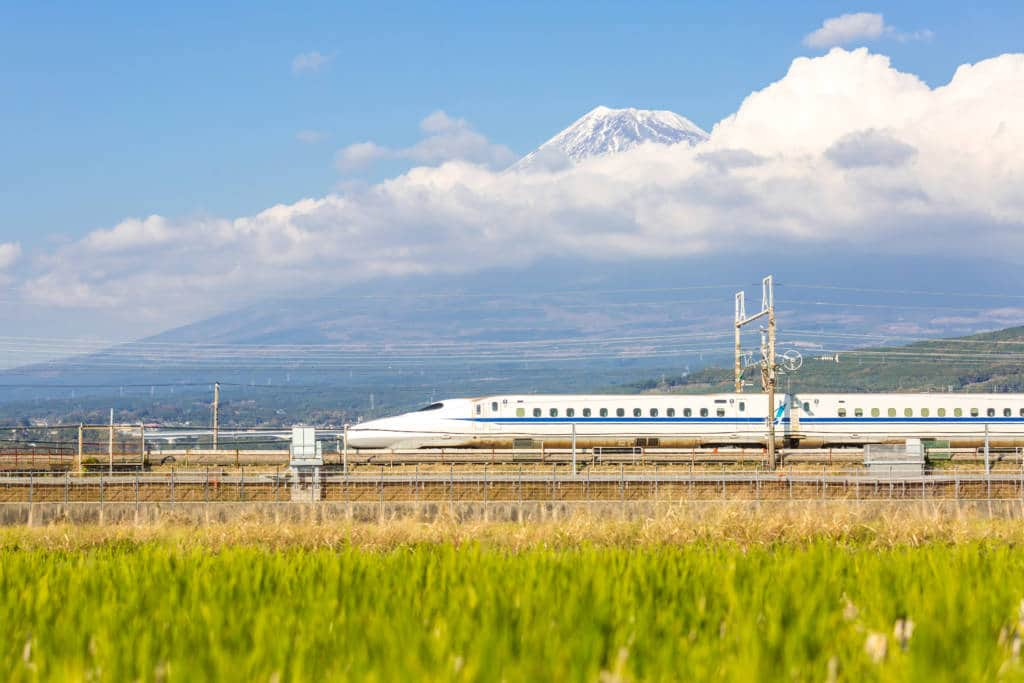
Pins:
x,y
446,139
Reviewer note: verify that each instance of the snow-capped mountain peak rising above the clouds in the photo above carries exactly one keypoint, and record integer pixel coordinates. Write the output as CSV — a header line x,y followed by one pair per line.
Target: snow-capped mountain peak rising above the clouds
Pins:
x,y
606,132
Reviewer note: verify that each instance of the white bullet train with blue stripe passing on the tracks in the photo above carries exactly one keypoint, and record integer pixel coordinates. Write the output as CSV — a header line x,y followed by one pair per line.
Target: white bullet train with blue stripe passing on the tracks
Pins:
x,y
711,420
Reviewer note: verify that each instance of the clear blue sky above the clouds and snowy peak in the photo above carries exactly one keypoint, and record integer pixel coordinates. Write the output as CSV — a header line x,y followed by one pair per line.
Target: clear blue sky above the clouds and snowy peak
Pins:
x,y
118,110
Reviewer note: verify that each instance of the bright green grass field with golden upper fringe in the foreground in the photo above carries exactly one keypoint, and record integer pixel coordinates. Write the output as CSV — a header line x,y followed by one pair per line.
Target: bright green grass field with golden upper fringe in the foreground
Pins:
x,y
730,601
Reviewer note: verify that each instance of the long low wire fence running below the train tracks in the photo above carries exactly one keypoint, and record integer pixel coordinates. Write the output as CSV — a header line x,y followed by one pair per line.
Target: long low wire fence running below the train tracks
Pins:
x,y
505,485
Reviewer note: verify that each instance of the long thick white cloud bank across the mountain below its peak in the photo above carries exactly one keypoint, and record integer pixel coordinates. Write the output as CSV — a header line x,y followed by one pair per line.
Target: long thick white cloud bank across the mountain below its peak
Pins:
x,y
843,150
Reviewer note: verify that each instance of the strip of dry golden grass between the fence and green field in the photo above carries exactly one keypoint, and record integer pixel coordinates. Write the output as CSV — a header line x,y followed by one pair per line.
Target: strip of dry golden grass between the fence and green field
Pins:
x,y
864,527
